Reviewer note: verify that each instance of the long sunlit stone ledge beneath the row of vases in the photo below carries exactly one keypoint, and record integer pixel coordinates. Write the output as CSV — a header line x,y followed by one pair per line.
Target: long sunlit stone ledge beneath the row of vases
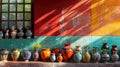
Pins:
x,y
56,64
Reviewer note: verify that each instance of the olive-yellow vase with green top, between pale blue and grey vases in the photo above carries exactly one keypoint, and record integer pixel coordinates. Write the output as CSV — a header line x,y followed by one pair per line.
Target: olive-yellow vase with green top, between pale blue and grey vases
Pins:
x,y
86,56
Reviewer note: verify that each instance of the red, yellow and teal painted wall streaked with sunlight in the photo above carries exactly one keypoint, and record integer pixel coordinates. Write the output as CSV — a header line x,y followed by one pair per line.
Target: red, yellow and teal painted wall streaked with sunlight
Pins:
x,y
99,27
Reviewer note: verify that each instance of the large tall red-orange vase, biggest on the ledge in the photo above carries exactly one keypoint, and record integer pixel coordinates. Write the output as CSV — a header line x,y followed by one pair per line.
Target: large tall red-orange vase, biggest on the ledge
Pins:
x,y
67,52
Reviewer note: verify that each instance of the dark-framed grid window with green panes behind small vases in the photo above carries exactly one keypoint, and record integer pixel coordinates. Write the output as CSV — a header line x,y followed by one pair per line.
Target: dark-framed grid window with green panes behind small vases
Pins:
x,y
17,13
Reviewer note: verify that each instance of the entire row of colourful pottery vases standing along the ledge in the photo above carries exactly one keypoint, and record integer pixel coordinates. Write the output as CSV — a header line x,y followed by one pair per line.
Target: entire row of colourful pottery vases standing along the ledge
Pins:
x,y
67,54
